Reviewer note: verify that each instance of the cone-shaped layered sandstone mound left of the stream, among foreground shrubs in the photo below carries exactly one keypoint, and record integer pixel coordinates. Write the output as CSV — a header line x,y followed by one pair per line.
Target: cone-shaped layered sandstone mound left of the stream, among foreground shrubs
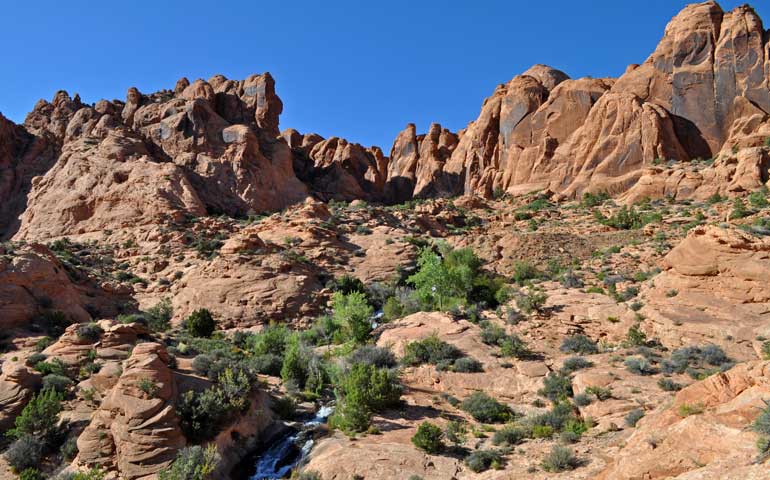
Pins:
x,y
135,431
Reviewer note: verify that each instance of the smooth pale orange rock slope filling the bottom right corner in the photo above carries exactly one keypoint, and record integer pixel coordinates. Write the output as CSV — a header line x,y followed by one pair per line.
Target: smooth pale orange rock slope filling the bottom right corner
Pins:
x,y
714,444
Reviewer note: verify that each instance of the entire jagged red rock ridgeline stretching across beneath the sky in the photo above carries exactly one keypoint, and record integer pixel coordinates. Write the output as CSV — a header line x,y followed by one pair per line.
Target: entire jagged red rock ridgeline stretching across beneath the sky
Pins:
x,y
214,146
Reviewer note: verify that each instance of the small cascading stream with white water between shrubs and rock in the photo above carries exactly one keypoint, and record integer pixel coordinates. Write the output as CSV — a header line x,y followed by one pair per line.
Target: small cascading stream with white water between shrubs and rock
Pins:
x,y
288,451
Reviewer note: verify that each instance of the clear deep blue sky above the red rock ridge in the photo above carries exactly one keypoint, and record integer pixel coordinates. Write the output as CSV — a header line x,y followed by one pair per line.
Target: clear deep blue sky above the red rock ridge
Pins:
x,y
355,69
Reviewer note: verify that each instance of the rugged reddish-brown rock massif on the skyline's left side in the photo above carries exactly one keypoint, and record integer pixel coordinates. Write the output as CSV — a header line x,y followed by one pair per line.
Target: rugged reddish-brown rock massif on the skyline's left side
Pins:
x,y
210,147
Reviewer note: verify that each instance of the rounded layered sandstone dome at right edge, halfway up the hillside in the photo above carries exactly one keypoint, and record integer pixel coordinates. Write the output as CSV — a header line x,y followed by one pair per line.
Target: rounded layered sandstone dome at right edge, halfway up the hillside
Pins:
x,y
712,278
